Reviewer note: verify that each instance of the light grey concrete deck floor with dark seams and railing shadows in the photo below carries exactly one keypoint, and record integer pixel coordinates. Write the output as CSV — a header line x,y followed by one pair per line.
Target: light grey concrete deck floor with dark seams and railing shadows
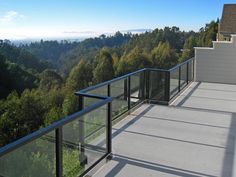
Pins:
x,y
195,136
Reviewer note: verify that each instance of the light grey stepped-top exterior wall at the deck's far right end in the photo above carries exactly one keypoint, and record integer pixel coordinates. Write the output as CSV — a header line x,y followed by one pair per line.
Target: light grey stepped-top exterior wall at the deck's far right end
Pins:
x,y
217,64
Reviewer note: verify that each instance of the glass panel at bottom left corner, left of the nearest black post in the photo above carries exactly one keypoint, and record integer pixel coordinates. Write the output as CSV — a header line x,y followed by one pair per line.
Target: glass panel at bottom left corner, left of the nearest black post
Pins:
x,y
30,160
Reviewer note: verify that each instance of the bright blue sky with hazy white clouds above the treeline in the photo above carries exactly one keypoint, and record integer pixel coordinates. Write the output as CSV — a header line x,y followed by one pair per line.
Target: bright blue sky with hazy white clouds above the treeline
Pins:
x,y
25,19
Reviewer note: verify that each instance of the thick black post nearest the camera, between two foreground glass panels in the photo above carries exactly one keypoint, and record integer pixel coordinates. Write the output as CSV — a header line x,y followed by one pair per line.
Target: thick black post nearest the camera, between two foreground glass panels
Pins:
x,y
59,153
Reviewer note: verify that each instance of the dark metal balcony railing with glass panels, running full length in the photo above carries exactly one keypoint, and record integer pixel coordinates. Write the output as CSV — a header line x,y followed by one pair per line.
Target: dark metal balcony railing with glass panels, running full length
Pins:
x,y
74,145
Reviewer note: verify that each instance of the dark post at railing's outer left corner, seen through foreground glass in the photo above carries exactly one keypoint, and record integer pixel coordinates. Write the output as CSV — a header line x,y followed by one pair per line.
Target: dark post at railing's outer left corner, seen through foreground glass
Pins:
x,y
82,157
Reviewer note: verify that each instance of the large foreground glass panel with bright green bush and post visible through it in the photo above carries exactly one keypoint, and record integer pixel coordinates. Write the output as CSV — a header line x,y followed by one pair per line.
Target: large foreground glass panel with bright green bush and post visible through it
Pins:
x,y
88,132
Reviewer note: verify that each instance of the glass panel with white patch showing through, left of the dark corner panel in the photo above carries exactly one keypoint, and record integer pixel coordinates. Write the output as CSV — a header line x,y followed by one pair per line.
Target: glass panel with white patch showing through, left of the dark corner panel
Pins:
x,y
136,88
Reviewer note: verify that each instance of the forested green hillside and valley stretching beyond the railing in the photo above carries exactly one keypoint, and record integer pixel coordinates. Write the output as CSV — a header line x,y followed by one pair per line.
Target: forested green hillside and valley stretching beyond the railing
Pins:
x,y
38,81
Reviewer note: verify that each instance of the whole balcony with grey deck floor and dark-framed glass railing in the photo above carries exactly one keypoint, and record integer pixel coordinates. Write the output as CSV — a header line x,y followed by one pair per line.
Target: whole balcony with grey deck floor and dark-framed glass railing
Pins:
x,y
151,122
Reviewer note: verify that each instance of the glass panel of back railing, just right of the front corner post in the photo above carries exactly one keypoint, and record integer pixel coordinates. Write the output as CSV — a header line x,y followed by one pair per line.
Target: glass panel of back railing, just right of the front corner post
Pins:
x,y
119,93
